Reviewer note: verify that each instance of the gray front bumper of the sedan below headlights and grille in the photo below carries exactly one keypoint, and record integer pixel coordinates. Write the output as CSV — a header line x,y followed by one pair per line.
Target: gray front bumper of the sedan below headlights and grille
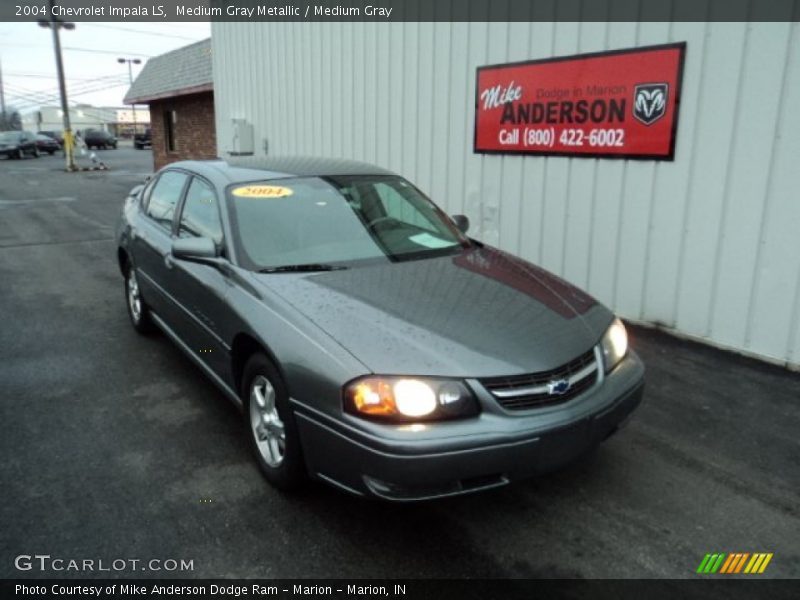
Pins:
x,y
406,463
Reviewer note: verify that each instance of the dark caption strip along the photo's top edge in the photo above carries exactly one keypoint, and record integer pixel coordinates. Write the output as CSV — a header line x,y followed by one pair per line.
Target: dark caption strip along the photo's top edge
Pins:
x,y
438,10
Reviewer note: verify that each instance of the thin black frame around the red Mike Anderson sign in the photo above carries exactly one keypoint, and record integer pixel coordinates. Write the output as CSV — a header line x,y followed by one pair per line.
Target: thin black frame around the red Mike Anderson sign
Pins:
x,y
670,156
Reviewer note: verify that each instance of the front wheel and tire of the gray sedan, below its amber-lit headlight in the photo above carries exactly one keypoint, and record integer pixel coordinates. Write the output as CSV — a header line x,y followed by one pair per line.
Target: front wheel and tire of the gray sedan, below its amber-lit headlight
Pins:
x,y
270,424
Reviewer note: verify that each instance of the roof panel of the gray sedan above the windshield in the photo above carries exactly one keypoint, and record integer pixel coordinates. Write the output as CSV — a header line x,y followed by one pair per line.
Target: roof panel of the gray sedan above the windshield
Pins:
x,y
252,168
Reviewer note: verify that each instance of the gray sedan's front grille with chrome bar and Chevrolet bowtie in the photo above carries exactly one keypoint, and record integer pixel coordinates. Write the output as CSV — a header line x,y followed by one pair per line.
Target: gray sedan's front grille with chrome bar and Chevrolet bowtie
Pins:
x,y
532,390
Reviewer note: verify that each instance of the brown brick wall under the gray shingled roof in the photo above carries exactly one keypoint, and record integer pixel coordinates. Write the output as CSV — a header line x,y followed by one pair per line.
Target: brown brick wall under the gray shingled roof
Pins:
x,y
194,133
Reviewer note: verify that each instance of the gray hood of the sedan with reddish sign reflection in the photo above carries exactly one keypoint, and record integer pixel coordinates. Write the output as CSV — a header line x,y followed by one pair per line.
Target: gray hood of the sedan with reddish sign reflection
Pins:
x,y
482,313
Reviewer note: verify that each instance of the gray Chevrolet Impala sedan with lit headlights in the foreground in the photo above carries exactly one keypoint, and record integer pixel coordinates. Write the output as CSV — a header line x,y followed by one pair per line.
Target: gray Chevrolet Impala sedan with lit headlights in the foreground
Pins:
x,y
369,341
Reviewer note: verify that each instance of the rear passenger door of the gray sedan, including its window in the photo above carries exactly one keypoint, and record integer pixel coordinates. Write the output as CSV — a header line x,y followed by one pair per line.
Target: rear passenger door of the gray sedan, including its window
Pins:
x,y
151,240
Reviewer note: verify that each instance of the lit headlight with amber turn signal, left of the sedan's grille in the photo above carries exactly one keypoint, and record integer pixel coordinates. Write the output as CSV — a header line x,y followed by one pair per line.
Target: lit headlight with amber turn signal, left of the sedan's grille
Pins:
x,y
409,399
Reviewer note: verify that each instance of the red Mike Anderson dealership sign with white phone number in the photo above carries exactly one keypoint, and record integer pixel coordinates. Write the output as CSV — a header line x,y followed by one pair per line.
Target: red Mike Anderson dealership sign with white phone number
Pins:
x,y
617,104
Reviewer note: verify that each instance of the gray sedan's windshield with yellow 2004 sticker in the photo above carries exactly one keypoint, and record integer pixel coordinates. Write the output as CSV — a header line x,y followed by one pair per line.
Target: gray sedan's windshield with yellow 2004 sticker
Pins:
x,y
322,221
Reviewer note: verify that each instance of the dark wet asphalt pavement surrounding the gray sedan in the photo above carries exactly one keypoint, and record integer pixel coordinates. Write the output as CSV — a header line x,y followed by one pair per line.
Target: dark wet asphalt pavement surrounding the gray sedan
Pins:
x,y
114,446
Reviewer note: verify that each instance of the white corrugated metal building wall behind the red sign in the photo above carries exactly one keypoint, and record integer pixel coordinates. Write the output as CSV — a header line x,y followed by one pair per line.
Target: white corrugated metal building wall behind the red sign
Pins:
x,y
708,245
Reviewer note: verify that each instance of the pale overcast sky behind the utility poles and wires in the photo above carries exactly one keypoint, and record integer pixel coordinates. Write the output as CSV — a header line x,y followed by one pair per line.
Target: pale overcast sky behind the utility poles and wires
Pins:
x,y
90,55
